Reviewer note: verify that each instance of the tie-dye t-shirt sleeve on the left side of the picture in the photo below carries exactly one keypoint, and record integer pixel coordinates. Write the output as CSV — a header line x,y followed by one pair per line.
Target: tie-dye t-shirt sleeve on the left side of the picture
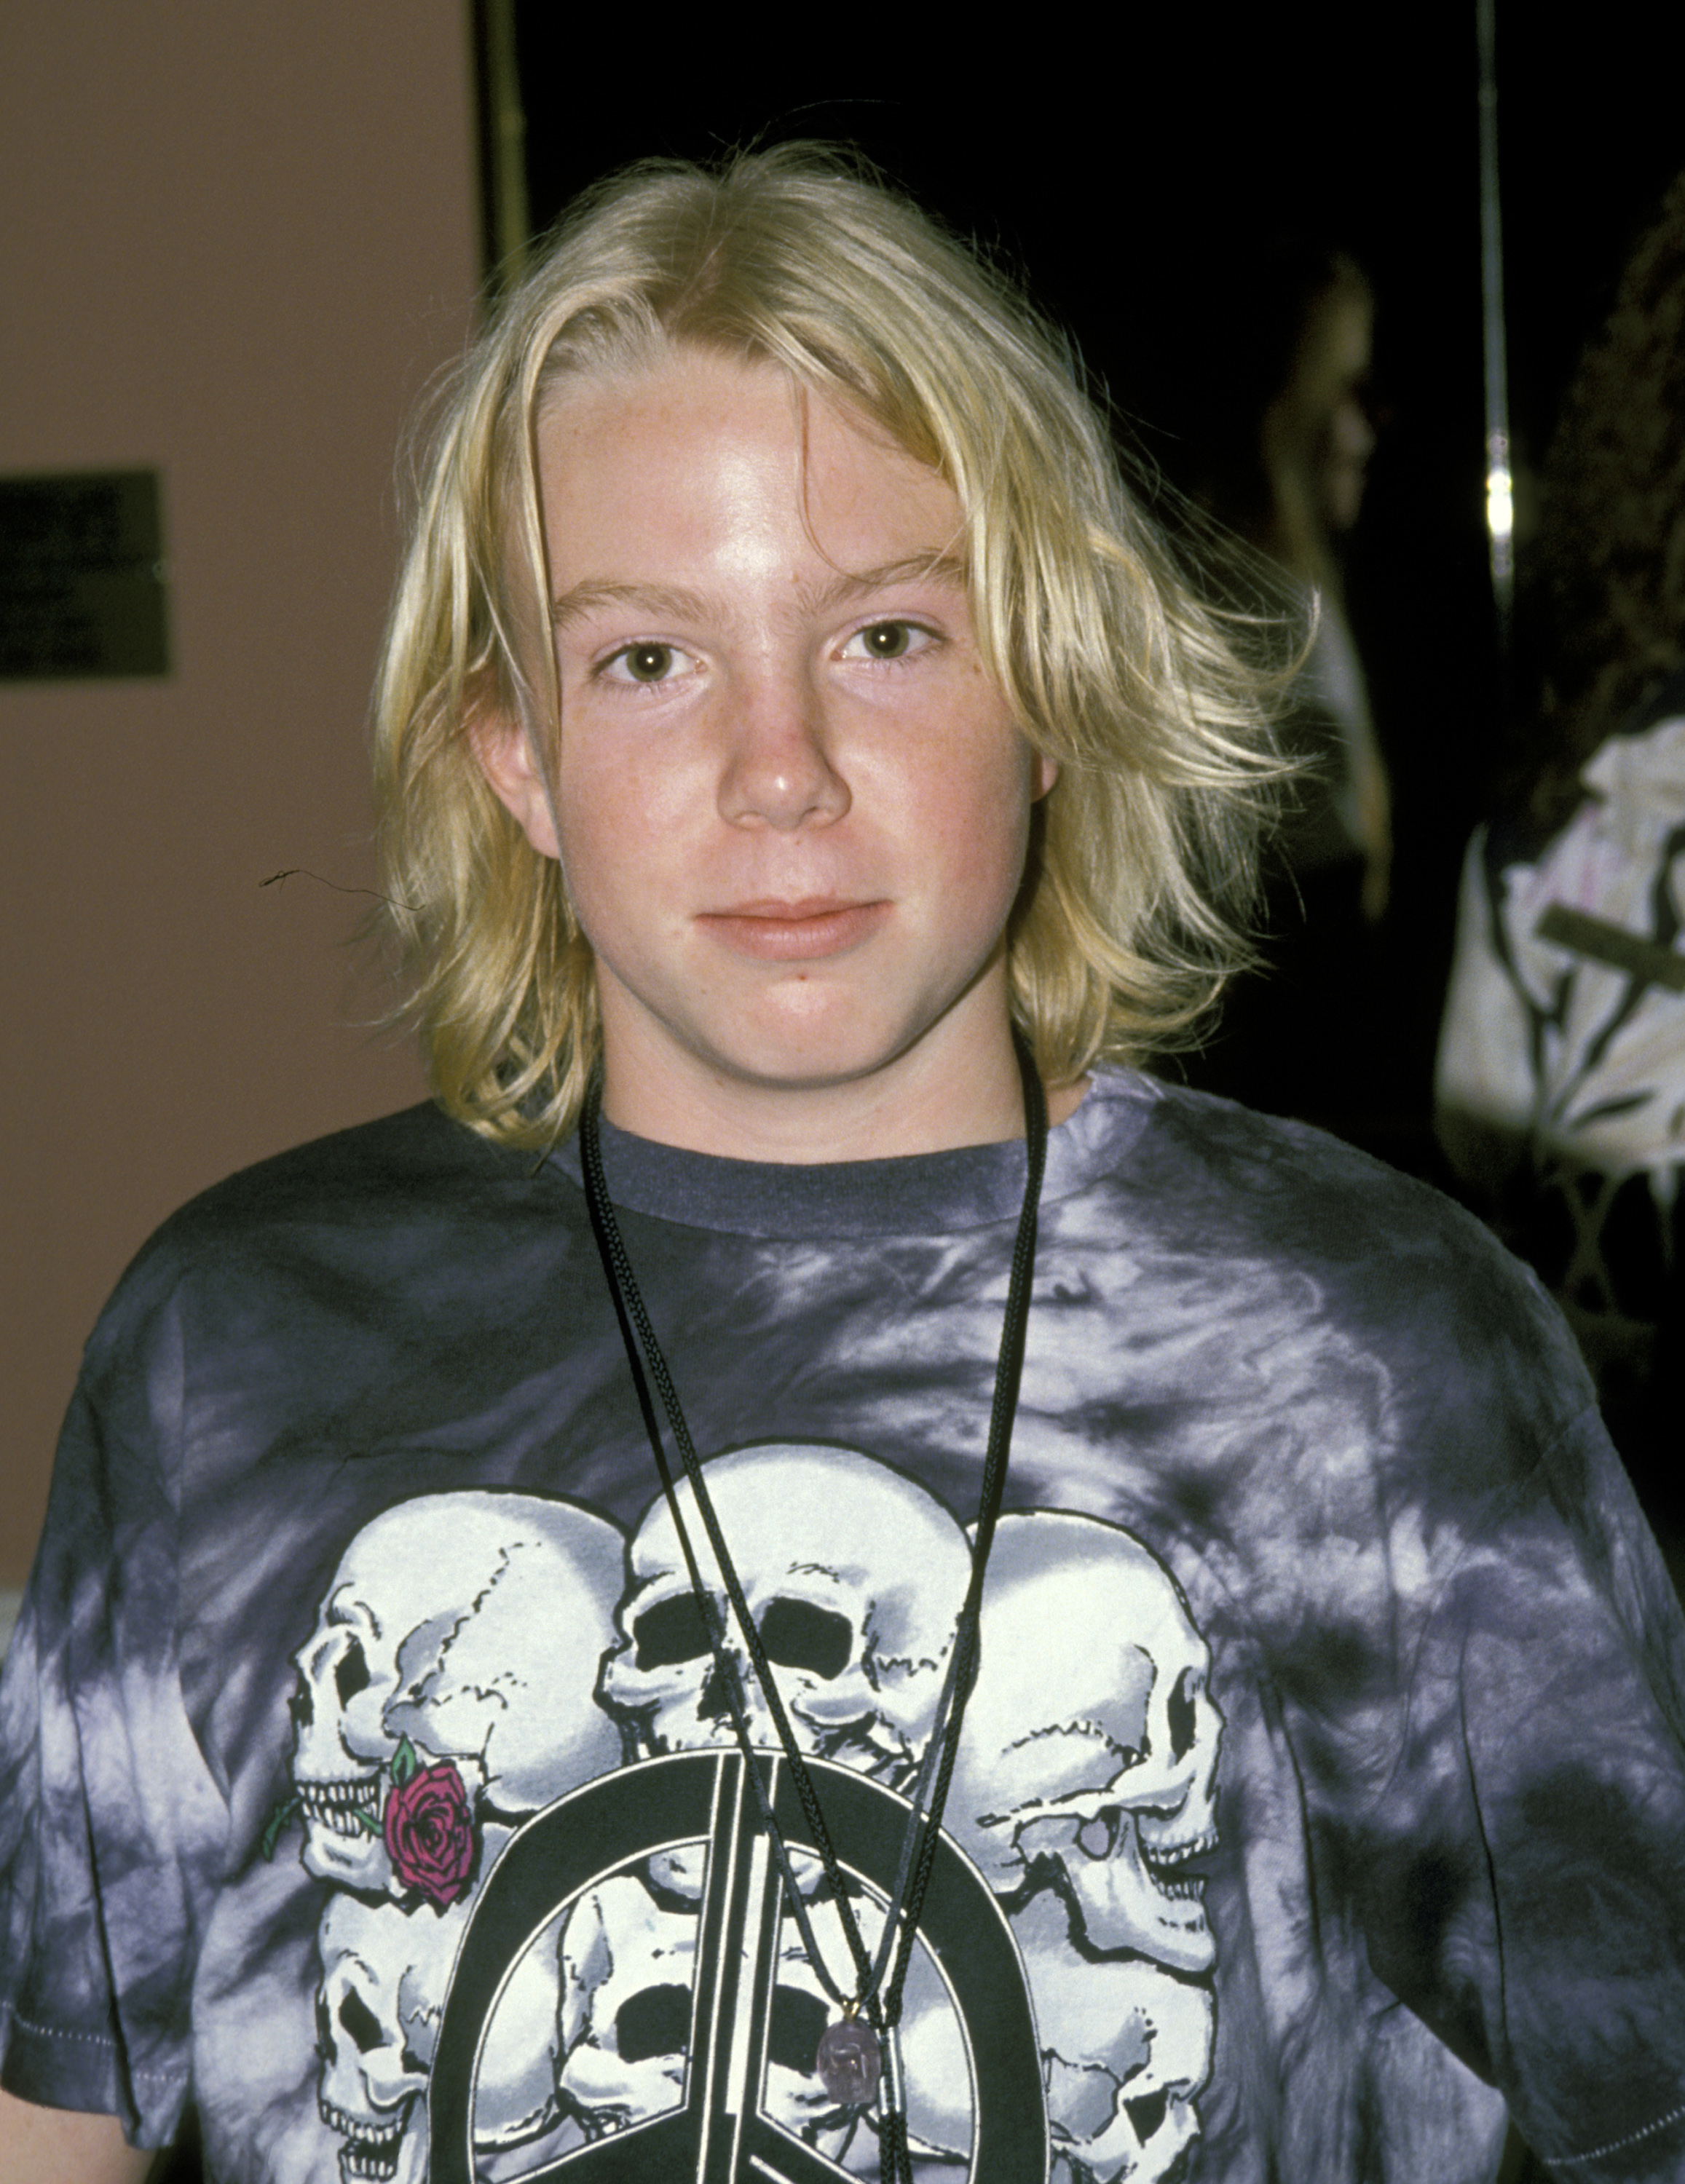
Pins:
x,y
110,1820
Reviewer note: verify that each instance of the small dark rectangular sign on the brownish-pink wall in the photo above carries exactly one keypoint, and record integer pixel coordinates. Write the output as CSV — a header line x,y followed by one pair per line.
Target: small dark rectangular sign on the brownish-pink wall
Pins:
x,y
82,578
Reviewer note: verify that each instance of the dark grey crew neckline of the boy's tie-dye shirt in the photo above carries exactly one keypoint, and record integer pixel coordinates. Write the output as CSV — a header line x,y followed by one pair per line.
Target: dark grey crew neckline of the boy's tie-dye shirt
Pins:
x,y
915,1194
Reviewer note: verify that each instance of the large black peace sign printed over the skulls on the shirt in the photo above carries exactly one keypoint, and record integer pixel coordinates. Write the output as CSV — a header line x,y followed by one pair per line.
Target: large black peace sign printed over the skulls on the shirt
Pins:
x,y
718,2135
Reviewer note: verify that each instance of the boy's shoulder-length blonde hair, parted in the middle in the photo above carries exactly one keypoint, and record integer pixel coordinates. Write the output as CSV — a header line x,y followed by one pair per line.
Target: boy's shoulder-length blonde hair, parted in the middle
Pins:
x,y
799,257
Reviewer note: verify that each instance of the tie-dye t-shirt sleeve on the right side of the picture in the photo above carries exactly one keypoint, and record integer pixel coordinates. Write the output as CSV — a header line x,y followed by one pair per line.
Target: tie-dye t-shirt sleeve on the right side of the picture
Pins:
x,y
1524,1871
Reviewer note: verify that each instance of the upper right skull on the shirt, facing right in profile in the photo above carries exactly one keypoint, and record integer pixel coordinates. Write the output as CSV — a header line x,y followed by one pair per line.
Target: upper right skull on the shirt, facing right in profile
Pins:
x,y
1089,1750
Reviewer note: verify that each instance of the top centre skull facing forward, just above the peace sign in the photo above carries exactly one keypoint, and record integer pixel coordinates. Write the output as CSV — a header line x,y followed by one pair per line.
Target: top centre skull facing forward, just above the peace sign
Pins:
x,y
853,1578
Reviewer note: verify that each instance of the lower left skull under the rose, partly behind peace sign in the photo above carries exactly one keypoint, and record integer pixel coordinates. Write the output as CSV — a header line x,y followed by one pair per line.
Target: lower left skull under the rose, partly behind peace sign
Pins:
x,y
379,2006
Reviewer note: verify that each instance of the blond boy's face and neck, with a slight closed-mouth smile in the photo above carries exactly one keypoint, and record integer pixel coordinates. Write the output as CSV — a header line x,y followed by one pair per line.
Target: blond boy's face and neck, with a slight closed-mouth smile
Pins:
x,y
792,805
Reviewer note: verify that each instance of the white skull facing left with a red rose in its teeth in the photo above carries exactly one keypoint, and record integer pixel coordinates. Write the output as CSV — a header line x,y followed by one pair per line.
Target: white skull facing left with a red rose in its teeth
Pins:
x,y
473,1626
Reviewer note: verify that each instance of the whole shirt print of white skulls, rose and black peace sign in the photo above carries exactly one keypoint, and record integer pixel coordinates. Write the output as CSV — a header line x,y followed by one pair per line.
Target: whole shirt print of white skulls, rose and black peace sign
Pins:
x,y
554,1912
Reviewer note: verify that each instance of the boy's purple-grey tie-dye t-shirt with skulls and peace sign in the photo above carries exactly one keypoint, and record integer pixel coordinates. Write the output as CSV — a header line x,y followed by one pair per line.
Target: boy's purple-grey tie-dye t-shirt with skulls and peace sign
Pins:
x,y
1321,1790
